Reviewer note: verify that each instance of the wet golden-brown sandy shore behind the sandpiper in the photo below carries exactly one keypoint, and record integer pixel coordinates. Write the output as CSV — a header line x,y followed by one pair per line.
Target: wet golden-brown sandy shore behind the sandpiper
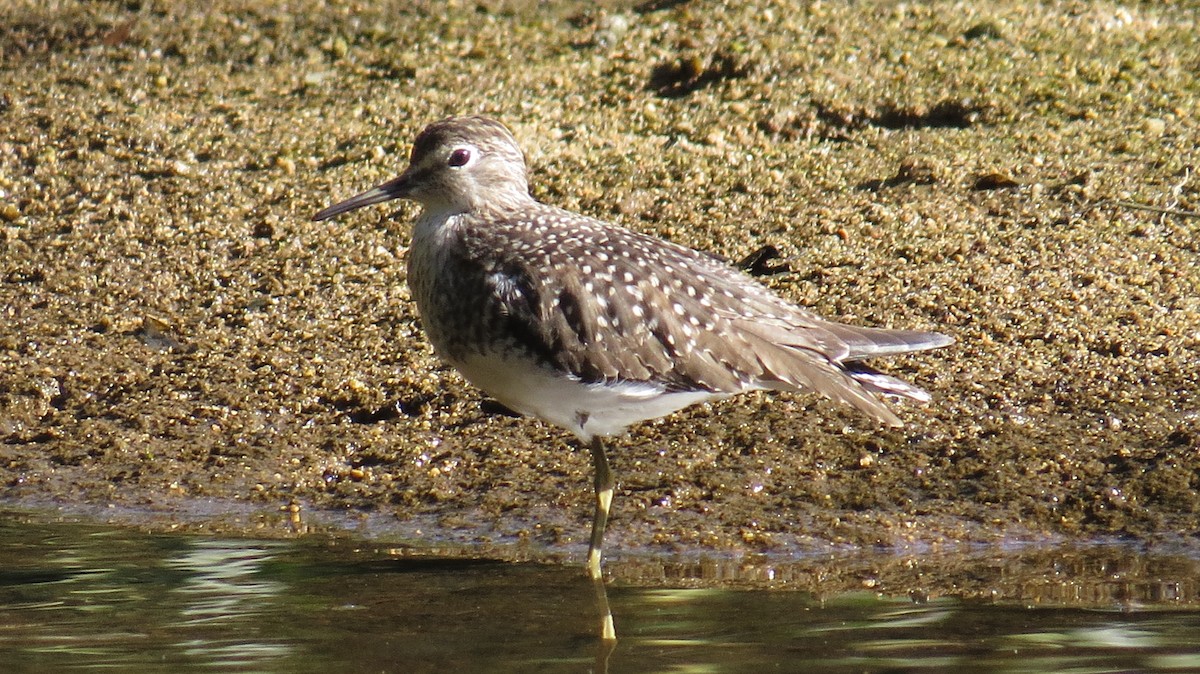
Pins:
x,y
177,332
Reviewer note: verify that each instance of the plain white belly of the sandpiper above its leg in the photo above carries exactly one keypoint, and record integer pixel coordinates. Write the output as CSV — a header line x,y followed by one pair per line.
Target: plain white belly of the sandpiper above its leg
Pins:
x,y
585,410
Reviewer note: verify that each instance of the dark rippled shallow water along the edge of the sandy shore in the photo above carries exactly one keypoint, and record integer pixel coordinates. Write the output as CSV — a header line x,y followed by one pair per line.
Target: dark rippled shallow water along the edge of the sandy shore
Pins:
x,y
92,597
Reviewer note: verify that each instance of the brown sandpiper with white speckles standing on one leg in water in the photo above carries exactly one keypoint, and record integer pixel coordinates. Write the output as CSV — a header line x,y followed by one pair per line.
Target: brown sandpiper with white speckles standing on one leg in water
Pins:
x,y
592,327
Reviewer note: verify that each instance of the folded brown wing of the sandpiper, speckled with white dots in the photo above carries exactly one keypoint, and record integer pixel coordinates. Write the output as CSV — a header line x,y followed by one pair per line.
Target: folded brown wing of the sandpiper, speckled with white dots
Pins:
x,y
621,306
